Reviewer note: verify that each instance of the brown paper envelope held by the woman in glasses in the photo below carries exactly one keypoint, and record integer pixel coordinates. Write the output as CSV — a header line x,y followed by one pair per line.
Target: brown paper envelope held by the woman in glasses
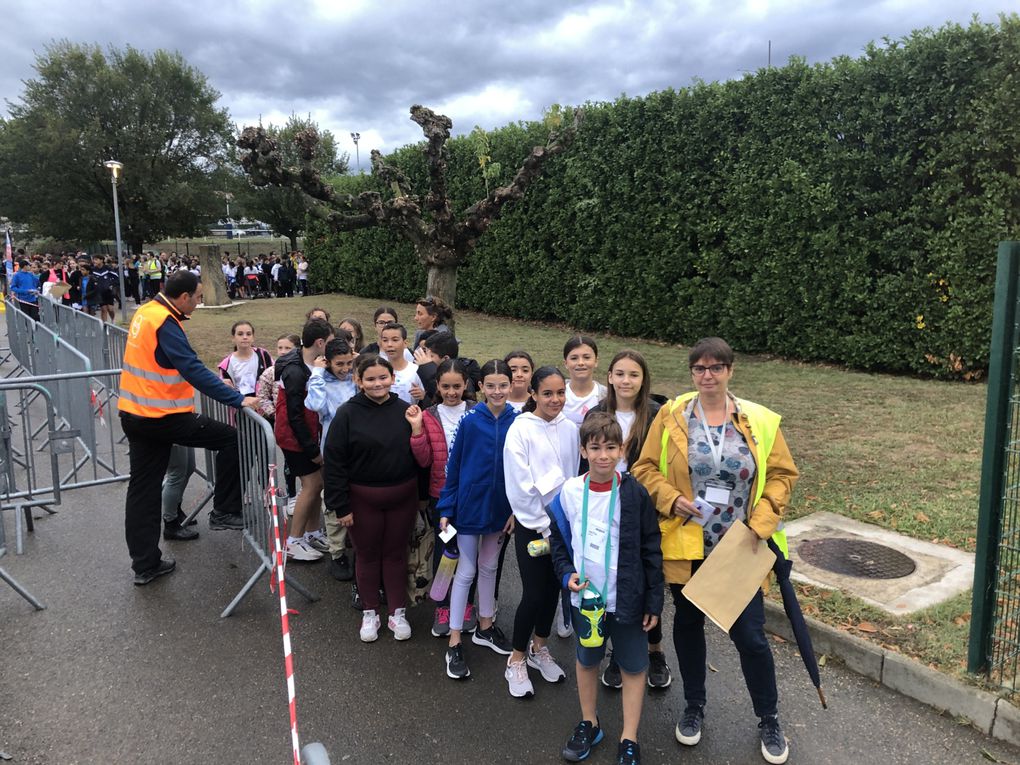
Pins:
x,y
724,586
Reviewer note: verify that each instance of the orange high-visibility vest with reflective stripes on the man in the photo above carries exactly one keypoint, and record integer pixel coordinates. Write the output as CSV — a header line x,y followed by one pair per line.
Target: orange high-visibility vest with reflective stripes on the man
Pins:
x,y
147,389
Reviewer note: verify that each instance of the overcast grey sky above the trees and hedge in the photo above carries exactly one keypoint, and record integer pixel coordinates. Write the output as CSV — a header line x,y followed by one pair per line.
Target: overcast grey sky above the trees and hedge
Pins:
x,y
360,66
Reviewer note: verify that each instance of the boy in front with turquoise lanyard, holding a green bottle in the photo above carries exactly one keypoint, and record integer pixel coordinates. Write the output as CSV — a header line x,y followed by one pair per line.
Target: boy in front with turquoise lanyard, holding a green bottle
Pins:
x,y
606,550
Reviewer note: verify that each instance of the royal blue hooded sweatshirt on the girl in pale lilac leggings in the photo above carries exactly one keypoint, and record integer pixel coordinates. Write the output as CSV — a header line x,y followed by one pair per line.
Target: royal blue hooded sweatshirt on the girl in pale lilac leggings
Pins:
x,y
475,496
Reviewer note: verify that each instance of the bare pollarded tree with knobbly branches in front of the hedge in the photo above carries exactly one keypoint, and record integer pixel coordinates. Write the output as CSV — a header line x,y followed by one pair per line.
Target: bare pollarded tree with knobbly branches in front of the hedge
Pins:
x,y
441,239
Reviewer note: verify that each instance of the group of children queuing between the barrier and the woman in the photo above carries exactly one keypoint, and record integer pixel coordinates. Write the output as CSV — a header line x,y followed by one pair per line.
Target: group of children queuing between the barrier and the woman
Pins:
x,y
541,460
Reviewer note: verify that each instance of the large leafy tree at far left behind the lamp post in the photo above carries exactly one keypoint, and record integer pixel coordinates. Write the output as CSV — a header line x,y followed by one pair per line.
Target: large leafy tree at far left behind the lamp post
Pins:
x,y
155,114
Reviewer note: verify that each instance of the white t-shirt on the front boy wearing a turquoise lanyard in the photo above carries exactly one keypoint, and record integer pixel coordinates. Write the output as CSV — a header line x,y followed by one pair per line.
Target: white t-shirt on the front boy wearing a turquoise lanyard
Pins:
x,y
593,550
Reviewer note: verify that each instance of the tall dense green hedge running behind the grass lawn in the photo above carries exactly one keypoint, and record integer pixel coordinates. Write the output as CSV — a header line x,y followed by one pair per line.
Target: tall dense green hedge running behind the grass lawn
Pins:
x,y
844,213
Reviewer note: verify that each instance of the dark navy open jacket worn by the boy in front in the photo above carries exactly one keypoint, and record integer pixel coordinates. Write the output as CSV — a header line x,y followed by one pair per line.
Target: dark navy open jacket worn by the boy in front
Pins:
x,y
639,568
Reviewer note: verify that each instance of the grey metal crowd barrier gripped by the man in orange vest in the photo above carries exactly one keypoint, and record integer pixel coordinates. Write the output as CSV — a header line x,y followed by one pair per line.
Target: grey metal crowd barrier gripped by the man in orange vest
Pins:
x,y
258,451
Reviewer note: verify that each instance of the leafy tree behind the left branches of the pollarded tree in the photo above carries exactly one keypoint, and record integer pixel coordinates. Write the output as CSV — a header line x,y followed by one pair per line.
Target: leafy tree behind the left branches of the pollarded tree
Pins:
x,y
286,209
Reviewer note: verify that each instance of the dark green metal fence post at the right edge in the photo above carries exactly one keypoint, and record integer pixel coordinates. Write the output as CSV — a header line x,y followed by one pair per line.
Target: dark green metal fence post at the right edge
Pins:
x,y
1001,368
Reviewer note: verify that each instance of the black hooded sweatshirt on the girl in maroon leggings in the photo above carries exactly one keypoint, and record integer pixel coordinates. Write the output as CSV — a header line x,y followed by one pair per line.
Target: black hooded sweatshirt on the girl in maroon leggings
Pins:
x,y
368,444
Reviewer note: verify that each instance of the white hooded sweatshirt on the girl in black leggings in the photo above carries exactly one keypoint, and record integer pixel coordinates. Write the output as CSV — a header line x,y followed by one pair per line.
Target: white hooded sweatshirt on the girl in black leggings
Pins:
x,y
538,458
